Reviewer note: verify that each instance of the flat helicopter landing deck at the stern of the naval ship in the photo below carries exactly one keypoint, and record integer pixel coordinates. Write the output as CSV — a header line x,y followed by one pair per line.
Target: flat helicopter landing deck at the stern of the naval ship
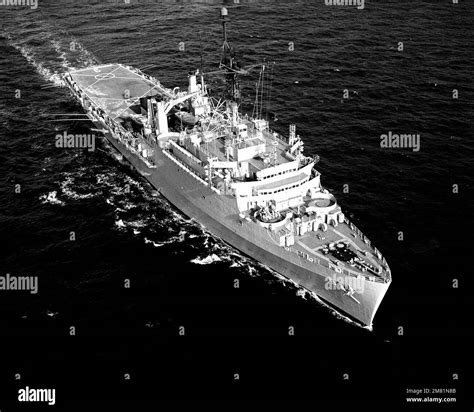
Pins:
x,y
114,88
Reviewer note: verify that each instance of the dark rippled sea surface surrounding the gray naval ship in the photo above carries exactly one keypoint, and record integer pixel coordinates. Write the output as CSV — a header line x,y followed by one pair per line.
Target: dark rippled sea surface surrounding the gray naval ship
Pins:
x,y
182,276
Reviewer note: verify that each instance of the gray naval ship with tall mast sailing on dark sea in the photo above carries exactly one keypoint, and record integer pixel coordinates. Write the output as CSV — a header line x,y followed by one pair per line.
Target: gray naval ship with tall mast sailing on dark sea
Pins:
x,y
253,188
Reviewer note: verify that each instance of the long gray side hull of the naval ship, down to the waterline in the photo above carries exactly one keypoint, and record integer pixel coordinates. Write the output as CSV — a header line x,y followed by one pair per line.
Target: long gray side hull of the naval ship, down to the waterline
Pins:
x,y
219,215
